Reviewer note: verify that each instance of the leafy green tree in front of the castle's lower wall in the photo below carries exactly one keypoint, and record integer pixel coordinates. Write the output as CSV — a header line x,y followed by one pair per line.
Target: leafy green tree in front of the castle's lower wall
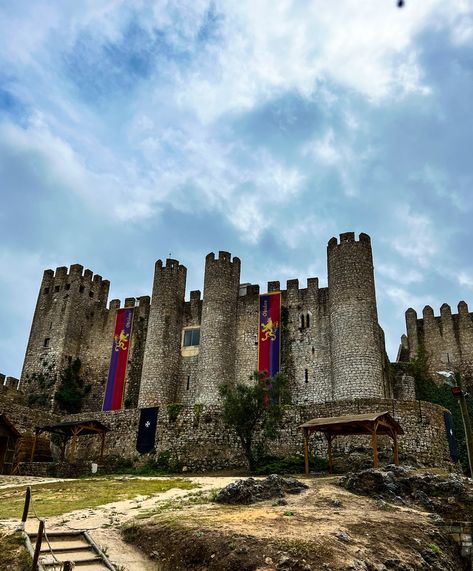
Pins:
x,y
255,412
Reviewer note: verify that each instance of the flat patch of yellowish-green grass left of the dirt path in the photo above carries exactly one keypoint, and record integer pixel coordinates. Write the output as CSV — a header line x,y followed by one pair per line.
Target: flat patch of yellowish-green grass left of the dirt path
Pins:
x,y
62,497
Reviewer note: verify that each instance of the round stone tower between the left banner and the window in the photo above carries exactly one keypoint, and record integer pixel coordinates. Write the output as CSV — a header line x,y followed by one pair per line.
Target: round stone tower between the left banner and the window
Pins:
x,y
161,361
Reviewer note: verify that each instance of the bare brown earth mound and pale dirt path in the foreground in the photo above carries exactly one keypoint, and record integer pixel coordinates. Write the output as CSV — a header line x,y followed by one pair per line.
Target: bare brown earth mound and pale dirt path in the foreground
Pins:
x,y
326,528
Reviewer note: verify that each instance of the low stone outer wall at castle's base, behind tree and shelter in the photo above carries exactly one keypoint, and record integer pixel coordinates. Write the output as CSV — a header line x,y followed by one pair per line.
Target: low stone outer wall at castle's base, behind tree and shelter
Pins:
x,y
199,440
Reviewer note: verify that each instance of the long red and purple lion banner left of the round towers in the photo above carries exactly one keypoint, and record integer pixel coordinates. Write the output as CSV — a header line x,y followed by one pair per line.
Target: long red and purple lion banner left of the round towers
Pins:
x,y
116,374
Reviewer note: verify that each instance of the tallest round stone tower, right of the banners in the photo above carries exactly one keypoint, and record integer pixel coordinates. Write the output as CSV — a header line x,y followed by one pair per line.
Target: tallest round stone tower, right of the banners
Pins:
x,y
356,346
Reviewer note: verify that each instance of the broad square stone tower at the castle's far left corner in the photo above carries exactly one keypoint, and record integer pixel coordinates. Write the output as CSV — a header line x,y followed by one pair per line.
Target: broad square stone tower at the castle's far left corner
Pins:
x,y
64,312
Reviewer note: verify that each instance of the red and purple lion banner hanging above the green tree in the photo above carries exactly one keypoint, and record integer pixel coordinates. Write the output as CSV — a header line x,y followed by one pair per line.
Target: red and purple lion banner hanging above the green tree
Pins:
x,y
269,338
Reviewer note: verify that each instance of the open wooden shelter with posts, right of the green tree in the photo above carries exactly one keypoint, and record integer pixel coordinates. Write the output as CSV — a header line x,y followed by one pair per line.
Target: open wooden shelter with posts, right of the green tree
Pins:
x,y
373,423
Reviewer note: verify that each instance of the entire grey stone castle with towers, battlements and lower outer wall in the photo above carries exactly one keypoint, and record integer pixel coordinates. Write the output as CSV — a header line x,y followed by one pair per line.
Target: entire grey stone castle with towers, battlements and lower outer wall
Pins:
x,y
174,354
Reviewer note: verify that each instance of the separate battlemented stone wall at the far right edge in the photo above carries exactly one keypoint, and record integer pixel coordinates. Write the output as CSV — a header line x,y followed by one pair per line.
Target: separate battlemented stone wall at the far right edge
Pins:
x,y
447,339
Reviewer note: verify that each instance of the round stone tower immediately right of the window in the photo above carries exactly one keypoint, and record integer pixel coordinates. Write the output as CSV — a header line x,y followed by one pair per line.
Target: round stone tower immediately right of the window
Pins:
x,y
218,326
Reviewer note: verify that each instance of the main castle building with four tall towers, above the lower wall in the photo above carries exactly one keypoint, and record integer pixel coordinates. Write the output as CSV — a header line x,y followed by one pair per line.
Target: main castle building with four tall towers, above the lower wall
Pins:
x,y
181,351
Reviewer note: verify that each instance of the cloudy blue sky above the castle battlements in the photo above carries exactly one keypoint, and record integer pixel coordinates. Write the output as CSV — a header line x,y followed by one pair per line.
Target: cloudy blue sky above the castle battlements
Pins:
x,y
131,130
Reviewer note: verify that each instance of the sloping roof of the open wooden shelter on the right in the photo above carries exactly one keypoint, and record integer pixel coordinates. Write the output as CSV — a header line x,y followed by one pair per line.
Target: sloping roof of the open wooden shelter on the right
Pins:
x,y
354,424
